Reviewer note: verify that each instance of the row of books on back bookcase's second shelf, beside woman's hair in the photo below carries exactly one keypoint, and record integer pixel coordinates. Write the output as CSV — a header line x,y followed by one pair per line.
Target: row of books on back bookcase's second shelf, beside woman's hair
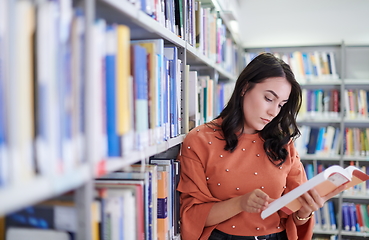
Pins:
x,y
319,103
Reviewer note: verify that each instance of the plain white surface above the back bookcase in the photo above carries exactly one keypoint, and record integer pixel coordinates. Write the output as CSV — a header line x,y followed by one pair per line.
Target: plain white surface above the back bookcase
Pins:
x,y
271,23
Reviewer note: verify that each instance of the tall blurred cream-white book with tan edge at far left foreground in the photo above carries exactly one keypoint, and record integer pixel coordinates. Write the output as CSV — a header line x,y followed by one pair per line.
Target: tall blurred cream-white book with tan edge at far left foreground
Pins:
x,y
21,95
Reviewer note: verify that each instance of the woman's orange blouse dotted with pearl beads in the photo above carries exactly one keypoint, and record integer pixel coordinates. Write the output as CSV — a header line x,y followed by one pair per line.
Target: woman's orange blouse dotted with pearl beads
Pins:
x,y
210,174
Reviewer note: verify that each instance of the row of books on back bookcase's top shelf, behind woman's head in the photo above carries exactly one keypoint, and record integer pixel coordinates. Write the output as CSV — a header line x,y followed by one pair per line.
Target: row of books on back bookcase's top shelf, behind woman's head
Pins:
x,y
308,66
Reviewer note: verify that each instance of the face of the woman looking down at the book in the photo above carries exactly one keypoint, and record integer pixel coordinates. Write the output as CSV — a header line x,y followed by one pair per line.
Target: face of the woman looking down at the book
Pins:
x,y
262,103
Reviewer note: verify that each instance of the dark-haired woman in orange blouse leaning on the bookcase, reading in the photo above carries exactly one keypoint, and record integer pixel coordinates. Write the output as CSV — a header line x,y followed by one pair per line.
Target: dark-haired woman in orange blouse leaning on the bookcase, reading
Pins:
x,y
235,165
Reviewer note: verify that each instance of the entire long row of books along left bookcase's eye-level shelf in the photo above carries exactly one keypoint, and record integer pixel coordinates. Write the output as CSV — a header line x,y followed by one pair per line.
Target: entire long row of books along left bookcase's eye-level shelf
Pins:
x,y
133,98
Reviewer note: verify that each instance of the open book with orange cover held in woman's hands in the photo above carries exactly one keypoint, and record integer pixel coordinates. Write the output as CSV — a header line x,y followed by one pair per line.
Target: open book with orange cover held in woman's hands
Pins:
x,y
324,182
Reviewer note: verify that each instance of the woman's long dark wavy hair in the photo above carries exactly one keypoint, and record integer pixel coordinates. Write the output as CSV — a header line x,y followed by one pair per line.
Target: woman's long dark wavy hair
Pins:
x,y
283,127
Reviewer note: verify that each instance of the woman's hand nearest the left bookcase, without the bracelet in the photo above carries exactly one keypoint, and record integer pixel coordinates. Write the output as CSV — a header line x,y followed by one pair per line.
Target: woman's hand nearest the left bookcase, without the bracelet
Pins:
x,y
255,201
